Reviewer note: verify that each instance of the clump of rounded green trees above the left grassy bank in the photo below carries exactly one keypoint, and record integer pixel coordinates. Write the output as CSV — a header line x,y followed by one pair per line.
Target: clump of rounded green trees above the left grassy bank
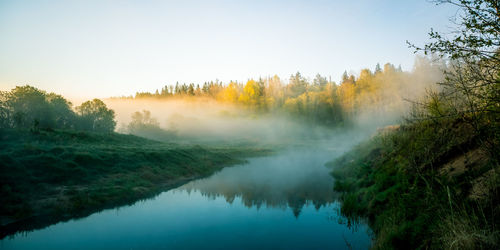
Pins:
x,y
30,108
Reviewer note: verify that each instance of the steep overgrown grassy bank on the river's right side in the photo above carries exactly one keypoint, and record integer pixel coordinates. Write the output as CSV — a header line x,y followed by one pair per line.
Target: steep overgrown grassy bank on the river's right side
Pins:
x,y
424,185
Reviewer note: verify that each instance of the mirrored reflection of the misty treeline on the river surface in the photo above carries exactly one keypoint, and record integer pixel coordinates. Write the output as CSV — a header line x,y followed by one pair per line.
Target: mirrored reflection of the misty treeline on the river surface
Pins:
x,y
292,179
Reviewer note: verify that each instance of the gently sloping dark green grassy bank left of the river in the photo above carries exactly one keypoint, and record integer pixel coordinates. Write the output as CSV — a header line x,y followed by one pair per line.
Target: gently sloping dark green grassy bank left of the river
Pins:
x,y
48,176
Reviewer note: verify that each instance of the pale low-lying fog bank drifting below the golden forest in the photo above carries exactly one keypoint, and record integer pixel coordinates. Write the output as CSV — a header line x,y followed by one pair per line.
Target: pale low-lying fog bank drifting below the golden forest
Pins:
x,y
204,120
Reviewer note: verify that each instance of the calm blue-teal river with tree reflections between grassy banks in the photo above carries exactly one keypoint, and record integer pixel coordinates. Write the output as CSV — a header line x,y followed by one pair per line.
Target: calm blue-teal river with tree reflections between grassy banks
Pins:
x,y
283,201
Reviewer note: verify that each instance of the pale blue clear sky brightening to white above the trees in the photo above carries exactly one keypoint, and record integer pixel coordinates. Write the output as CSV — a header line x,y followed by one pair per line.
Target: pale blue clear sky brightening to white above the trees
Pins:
x,y
87,49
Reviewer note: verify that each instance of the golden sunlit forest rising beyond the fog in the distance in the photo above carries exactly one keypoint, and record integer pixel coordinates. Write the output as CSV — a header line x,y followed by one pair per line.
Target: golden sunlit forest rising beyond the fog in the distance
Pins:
x,y
320,100
